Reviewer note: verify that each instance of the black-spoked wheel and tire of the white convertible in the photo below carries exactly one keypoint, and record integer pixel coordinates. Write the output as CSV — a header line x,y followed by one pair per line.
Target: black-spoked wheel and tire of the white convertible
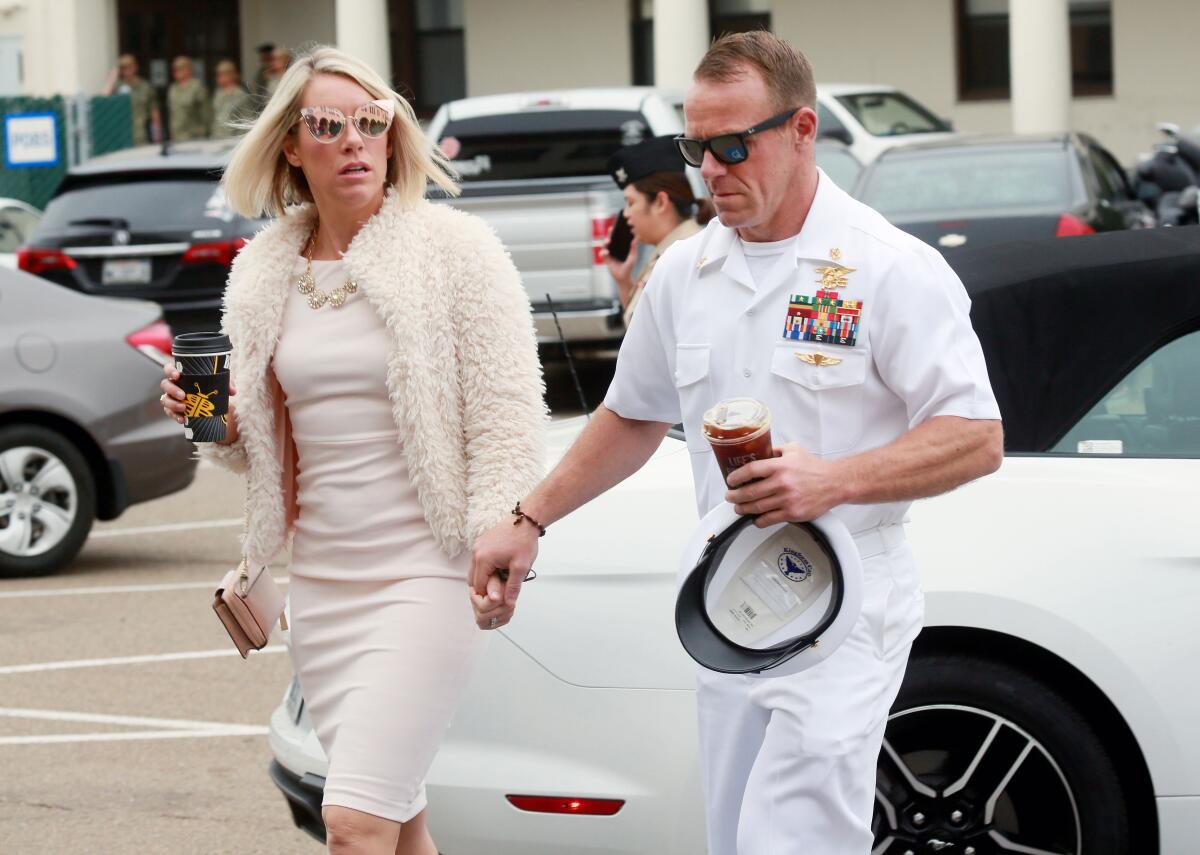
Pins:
x,y
983,760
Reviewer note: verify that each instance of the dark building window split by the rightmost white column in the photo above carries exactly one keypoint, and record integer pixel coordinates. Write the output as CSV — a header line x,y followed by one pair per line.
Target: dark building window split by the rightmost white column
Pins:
x,y
983,49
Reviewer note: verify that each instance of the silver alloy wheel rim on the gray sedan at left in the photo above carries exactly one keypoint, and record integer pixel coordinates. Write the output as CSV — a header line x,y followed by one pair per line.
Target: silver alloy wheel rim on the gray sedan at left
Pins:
x,y
39,501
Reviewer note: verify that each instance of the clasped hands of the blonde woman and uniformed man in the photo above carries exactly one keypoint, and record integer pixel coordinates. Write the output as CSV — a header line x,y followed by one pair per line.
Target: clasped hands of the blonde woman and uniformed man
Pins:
x,y
500,561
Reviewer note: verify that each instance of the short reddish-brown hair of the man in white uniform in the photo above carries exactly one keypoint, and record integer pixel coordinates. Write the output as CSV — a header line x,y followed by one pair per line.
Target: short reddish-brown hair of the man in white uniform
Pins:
x,y
787,73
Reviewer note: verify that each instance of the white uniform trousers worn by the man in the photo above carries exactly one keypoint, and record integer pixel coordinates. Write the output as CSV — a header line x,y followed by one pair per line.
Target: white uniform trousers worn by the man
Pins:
x,y
788,764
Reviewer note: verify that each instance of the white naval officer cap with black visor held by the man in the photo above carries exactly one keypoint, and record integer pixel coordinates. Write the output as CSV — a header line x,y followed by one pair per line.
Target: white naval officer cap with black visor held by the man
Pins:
x,y
767,602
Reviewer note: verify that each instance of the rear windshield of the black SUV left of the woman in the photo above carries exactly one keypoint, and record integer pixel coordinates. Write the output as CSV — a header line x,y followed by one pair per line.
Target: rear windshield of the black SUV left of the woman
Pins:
x,y
145,205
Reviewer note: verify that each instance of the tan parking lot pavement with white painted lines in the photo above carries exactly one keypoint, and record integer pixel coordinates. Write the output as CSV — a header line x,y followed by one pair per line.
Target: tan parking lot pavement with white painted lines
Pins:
x,y
128,721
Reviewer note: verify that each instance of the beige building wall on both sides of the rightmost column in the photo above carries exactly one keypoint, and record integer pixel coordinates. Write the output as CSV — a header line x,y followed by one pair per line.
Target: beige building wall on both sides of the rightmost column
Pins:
x,y
913,46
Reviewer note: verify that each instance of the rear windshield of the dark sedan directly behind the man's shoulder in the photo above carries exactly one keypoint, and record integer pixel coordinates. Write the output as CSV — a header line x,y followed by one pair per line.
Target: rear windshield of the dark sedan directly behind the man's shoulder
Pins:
x,y
969,181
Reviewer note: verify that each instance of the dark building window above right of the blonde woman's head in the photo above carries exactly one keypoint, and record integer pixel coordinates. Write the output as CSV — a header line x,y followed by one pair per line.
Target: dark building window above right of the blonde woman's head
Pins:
x,y
428,53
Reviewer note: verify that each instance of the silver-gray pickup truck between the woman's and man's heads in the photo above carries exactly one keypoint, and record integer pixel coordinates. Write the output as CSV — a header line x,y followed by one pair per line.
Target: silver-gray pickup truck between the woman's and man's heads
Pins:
x,y
533,166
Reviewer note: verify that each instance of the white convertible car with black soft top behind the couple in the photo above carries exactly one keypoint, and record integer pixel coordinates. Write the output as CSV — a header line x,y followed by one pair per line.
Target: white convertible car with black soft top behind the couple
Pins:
x,y
1052,704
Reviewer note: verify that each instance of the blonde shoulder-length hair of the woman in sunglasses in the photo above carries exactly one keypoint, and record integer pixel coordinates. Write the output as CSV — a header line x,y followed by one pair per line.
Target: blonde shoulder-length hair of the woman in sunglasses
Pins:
x,y
260,181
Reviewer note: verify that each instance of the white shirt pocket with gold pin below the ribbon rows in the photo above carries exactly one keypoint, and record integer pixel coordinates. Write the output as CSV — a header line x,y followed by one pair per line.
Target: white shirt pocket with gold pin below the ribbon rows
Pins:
x,y
832,391
